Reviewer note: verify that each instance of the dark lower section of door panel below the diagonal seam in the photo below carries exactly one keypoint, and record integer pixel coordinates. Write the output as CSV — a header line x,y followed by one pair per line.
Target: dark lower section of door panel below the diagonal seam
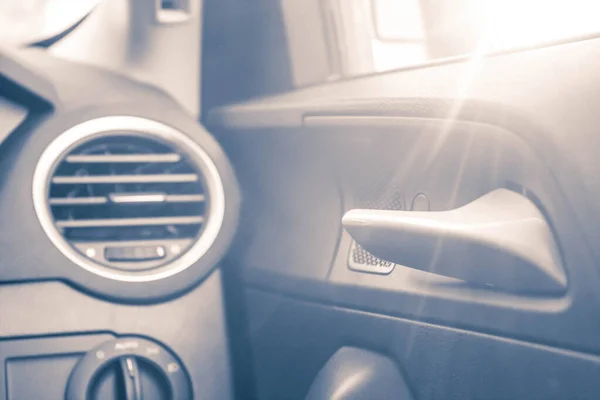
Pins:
x,y
438,362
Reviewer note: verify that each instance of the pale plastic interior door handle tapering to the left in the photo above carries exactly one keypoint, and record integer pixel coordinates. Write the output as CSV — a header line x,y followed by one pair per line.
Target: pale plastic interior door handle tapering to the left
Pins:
x,y
500,239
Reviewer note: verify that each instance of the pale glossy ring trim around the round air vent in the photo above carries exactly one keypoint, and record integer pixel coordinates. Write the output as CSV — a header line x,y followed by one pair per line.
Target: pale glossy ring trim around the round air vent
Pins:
x,y
114,125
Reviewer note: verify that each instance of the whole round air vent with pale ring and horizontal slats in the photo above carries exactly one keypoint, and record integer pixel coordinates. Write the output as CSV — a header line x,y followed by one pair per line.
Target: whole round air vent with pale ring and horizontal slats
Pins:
x,y
129,198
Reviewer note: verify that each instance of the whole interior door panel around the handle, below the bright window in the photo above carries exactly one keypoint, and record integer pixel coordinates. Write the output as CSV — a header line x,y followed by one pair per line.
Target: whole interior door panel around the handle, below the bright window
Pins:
x,y
523,121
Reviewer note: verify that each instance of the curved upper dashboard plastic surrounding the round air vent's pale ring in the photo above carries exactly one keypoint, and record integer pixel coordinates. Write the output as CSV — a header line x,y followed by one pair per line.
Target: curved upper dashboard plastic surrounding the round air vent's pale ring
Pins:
x,y
106,94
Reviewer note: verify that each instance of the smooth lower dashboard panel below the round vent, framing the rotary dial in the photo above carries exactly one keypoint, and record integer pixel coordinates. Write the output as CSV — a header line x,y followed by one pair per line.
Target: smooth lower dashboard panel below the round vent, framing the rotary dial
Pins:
x,y
191,326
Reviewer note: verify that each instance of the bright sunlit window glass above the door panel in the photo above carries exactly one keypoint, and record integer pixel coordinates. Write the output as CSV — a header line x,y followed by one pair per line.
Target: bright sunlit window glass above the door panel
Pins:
x,y
402,33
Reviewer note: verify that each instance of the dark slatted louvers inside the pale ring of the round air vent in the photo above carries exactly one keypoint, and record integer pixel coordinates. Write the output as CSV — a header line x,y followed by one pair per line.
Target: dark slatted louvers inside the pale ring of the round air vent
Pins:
x,y
126,188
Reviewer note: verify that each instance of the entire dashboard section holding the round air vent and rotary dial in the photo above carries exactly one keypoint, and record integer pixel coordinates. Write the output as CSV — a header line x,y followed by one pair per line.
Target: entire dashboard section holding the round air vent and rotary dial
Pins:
x,y
118,205
